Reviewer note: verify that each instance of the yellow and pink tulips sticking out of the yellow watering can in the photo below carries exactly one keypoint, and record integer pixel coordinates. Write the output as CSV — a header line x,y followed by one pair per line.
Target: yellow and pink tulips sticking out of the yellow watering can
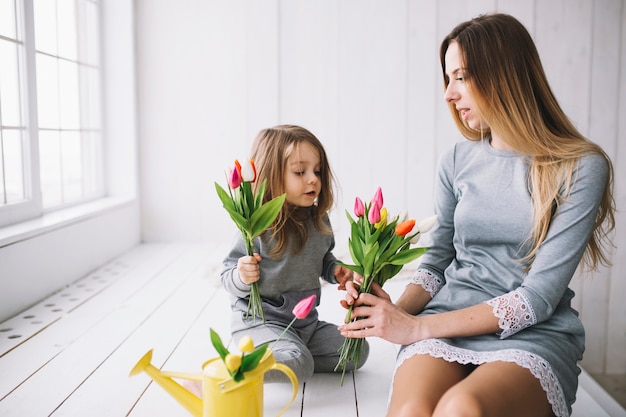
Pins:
x,y
250,357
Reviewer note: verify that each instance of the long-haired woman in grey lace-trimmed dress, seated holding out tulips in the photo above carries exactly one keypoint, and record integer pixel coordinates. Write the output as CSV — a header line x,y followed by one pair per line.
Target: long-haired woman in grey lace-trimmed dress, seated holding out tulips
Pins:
x,y
486,324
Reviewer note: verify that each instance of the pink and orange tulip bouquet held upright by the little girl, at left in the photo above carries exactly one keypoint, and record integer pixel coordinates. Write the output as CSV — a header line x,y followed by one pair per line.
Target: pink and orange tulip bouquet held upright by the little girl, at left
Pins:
x,y
251,215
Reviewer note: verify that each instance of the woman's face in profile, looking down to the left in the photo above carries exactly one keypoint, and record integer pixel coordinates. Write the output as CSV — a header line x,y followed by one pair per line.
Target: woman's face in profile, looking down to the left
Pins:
x,y
457,92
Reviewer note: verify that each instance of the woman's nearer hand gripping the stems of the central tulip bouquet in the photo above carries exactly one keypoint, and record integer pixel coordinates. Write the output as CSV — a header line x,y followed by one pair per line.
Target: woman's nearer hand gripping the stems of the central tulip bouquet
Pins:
x,y
378,316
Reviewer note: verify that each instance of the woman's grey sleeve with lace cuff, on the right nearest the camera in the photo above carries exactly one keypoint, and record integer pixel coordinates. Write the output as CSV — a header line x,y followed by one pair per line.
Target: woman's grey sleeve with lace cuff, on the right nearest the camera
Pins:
x,y
559,255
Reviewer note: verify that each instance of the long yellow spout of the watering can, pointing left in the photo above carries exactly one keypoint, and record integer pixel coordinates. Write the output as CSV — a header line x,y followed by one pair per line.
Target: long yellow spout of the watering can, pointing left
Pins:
x,y
187,399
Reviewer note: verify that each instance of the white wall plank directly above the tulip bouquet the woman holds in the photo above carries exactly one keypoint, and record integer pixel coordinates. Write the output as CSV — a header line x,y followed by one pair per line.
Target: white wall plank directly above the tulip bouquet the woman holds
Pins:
x,y
372,111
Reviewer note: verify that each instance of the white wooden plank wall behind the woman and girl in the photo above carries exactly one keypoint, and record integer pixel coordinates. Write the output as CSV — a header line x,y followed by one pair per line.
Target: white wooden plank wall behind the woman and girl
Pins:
x,y
363,75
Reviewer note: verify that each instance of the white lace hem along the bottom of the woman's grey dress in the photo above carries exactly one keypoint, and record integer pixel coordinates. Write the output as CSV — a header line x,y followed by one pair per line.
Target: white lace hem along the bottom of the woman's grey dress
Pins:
x,y
537,365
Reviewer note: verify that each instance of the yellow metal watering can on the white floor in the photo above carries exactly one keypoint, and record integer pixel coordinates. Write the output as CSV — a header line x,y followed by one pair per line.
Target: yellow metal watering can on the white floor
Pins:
x,y
221,395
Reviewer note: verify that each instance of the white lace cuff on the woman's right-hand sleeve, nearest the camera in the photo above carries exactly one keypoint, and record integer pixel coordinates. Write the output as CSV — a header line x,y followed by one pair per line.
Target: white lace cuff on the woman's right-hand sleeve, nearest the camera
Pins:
x,y
513,311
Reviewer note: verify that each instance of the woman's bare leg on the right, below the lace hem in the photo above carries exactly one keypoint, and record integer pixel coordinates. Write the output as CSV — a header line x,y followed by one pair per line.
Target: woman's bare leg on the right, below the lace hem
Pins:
x,y
496,389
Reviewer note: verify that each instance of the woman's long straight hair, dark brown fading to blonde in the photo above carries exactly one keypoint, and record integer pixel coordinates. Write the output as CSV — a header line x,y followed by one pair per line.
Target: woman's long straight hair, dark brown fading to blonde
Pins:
x,y
503,69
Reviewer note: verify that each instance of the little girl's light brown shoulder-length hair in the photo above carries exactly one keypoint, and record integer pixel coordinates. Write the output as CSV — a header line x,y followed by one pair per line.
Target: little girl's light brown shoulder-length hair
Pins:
x,y
270,151
